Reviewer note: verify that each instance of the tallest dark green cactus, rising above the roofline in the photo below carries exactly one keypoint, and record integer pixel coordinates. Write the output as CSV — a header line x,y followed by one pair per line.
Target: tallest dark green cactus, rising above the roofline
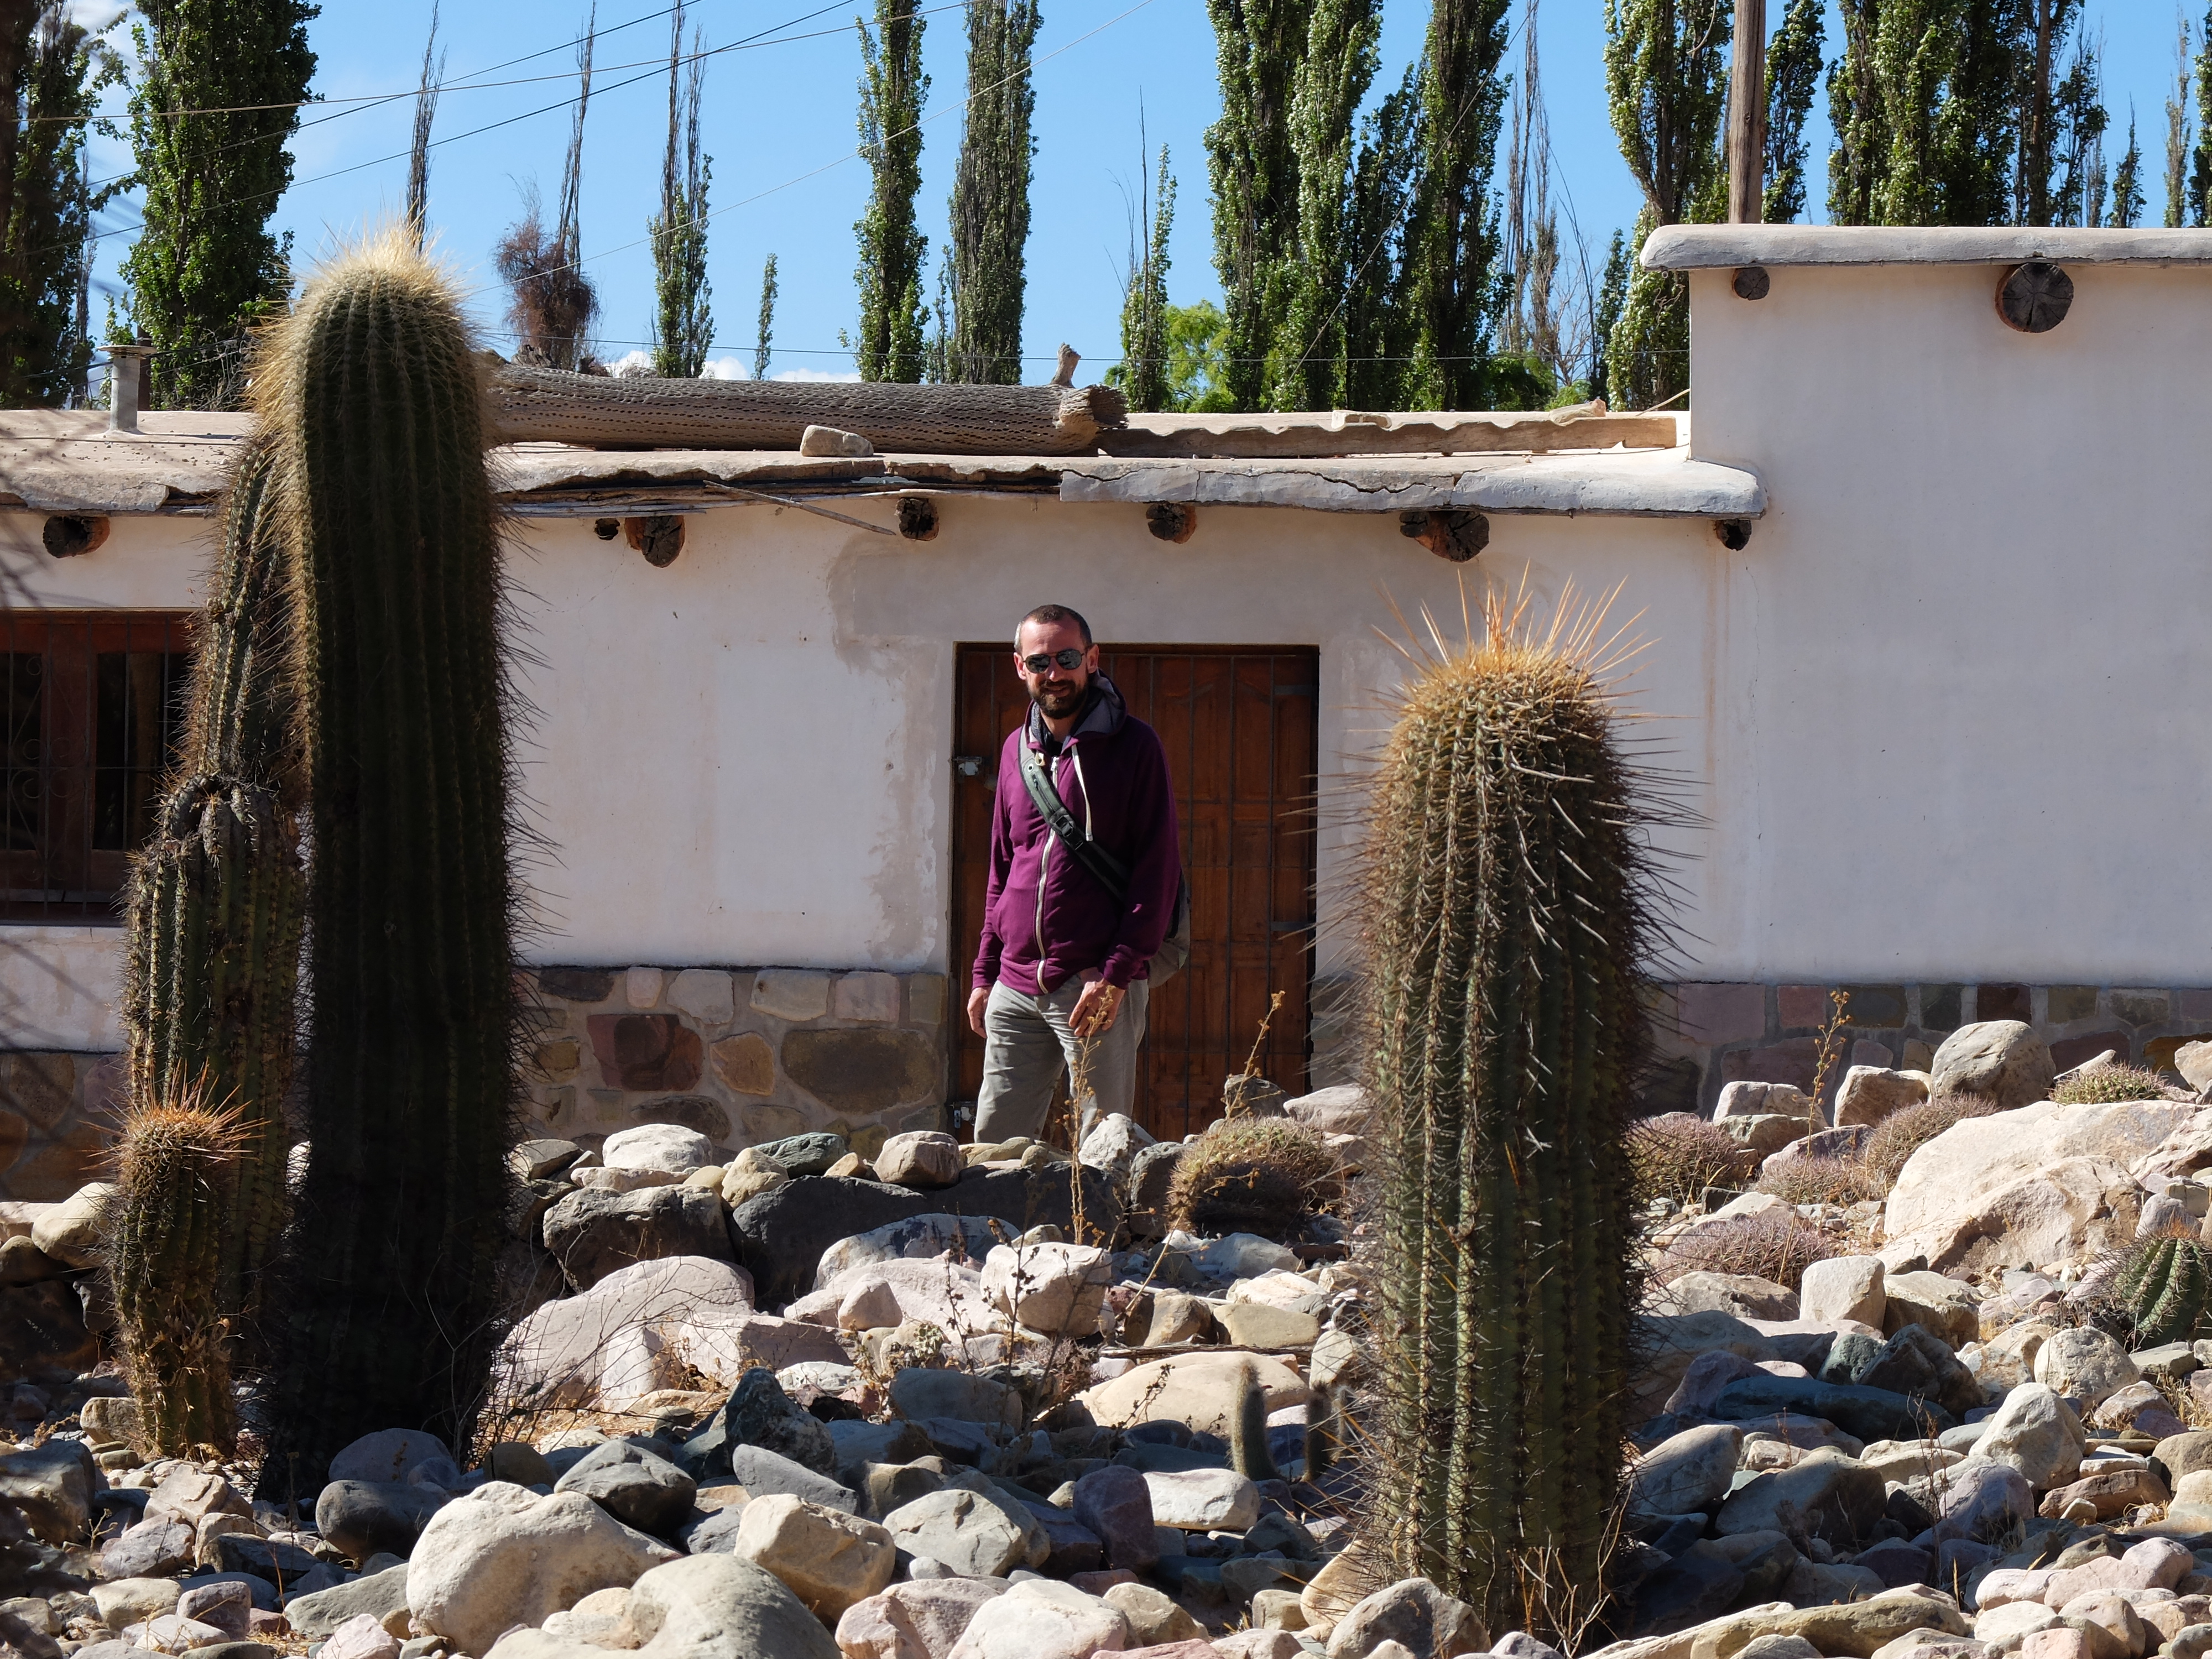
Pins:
x,y
371,404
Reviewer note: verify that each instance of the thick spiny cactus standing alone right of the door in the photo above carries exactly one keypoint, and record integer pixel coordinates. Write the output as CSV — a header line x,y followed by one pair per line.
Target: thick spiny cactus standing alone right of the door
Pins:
x,y
1505,924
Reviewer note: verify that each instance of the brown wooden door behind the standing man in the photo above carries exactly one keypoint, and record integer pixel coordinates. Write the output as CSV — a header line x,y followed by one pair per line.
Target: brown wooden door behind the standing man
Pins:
x,y
1240,727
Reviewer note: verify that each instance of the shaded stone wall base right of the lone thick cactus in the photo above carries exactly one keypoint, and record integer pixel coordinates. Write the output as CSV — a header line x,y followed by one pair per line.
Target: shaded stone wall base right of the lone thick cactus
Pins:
x,y
1720,1034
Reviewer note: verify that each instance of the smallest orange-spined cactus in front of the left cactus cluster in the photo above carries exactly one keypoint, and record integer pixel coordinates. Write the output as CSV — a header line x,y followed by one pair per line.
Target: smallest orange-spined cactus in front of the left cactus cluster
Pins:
x,y
176,1171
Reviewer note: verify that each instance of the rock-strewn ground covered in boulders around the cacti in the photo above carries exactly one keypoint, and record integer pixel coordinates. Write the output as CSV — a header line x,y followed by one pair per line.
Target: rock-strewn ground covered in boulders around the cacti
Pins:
x,y
981,1404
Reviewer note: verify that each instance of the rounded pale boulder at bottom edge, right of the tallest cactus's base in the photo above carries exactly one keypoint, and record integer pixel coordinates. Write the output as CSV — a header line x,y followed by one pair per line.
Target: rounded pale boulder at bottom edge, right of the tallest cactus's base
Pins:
x,y
505,1556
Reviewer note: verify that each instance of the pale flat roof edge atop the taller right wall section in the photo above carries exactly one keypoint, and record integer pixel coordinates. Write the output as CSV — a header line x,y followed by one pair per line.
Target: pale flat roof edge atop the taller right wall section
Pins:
x,y
1724,247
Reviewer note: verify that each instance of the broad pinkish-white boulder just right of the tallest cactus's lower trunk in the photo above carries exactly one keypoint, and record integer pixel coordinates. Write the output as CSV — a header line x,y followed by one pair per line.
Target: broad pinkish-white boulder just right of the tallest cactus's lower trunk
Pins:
x,y
645,1328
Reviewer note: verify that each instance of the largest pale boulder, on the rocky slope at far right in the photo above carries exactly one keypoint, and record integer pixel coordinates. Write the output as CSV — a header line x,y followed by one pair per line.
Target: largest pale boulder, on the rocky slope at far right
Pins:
x,y
2030,1187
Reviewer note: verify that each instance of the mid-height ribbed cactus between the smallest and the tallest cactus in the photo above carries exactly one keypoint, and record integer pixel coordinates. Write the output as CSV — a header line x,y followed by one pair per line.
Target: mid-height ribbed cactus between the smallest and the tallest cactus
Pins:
x,y
211,1001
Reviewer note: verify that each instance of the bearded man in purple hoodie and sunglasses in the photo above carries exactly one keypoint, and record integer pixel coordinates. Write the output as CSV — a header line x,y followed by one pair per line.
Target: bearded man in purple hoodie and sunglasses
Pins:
x,y
1061,970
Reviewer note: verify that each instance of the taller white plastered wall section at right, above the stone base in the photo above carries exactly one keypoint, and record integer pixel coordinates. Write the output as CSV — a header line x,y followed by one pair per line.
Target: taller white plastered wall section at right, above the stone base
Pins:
x,y
1963,716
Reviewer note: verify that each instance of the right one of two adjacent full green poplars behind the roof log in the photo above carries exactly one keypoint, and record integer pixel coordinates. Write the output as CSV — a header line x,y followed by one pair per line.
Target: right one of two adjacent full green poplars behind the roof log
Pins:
x,y
990,209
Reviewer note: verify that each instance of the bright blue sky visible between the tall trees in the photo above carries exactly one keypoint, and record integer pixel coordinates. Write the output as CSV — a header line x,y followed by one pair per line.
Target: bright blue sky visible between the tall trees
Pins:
x,y
780,125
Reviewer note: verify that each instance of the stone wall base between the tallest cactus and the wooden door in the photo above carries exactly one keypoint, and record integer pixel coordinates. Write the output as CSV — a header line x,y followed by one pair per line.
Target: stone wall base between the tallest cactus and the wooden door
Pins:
x,y
742,1056
